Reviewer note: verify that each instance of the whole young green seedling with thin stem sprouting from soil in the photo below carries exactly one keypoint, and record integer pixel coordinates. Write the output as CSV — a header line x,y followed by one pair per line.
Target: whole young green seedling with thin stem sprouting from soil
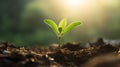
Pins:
x,y
61,29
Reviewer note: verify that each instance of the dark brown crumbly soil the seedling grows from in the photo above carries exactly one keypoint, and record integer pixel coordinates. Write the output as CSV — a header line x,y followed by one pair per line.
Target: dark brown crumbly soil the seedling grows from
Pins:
x,y
99,54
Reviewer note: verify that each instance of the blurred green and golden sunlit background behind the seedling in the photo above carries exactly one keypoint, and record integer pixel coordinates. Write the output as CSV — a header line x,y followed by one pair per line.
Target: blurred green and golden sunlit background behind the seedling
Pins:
x,y
21,21
